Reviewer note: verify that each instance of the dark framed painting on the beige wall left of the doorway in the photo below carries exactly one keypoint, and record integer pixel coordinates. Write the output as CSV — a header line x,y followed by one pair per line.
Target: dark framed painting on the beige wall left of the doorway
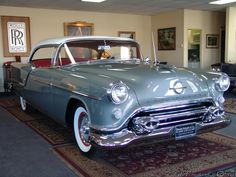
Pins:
x,y
166,38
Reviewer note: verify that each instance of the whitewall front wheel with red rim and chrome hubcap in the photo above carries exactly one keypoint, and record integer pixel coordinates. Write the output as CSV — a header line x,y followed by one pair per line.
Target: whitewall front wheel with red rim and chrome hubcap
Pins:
x,y
82,129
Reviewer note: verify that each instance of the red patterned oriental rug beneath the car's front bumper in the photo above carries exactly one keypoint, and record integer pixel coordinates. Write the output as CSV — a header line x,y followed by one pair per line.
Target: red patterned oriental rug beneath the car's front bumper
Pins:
x,y
194,157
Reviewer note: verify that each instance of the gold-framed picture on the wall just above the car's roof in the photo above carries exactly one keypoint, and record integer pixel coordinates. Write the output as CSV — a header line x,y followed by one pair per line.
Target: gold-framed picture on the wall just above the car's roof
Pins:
x,y
78,29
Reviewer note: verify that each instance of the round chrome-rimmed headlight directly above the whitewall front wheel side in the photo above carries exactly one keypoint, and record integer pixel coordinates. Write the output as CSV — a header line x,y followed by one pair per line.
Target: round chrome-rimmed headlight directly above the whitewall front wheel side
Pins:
x,y
119,93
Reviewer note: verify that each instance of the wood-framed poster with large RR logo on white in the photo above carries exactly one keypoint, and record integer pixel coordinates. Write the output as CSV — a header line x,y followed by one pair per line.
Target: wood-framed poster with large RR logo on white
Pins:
x,y
16,36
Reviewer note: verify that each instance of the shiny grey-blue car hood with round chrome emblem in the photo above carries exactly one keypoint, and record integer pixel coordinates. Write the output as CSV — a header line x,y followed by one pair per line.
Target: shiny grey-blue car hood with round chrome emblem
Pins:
x,y
151,84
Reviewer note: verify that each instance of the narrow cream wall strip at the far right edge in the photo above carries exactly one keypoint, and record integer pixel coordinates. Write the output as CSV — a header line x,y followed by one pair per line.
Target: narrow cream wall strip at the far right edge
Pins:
x,y
230,39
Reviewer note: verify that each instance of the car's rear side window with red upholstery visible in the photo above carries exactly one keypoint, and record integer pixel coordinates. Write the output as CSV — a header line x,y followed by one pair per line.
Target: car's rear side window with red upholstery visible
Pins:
x,y
43,57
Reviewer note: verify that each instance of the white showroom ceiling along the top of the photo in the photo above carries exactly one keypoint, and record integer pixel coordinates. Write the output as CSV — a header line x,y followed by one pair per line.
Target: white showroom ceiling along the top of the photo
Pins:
x,y
138,7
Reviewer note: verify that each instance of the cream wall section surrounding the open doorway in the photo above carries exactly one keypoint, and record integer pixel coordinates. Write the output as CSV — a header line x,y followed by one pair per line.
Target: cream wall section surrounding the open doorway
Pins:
x,y
209,23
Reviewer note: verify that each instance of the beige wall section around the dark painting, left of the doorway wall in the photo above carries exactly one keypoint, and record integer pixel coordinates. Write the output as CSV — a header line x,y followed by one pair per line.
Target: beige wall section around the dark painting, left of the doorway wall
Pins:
x,y
167,20
